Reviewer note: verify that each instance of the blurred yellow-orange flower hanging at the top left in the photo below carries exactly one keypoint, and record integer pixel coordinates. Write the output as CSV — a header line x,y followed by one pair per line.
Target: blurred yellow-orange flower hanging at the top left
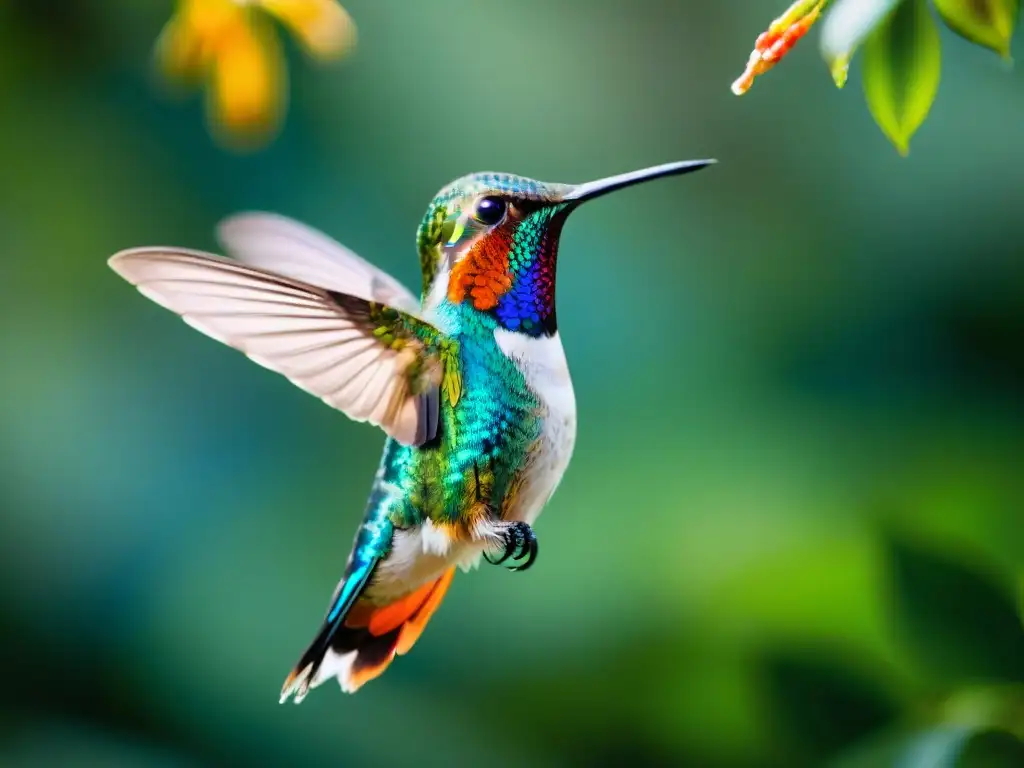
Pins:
x,y
233,46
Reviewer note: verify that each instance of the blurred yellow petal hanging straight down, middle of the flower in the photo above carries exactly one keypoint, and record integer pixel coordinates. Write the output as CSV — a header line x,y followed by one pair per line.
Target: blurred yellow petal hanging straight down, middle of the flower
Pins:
x,y
249,89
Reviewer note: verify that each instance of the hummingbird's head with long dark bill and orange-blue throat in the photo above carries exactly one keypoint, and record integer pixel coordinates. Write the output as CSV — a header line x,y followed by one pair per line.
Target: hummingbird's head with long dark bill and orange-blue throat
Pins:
x,y
491,240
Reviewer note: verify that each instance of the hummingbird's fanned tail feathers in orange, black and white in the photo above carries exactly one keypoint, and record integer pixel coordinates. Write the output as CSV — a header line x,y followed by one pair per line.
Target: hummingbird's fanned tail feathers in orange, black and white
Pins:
x,y
358,645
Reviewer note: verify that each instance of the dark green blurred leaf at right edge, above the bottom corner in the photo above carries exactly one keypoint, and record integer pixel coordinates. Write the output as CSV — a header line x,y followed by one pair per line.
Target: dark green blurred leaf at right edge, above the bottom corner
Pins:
x,y
960,627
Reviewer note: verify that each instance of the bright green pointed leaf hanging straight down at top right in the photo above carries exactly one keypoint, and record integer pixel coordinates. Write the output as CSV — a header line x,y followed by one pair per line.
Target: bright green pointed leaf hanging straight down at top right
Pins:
x,y
902,64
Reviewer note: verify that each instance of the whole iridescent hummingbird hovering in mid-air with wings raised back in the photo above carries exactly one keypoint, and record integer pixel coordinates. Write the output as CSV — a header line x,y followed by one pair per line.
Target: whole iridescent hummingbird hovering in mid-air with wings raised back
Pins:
x,y
470,383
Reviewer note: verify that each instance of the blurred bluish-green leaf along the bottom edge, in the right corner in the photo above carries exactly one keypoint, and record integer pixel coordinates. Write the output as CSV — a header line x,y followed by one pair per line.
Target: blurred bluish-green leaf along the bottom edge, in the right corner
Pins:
x,y
941,748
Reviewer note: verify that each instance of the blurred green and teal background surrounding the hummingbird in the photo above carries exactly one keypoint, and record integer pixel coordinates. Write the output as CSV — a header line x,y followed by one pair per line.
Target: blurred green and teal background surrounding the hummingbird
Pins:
x,y
792,534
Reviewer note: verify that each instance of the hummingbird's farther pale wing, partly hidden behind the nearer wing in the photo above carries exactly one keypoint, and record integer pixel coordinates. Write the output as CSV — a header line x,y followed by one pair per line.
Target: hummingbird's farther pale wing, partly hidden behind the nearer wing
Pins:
x,y
284,246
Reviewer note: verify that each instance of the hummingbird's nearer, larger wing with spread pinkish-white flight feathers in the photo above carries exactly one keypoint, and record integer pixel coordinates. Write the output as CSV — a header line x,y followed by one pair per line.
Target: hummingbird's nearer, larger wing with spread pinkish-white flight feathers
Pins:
x,y
370,361
